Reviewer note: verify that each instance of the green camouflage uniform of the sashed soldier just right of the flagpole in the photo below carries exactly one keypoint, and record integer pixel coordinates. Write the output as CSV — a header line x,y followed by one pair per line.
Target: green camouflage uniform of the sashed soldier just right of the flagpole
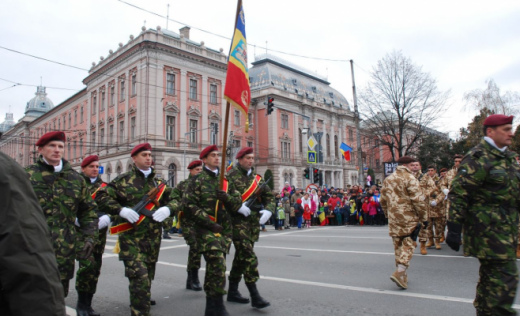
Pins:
x,y
246,230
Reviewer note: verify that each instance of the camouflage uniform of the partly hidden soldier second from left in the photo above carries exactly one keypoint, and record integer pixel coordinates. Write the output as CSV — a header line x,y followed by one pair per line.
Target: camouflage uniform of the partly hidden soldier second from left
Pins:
x,y
90,268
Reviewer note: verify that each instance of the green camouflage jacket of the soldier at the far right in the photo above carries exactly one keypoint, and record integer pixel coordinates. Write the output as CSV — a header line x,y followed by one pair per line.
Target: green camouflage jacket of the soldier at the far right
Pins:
x,y
484,199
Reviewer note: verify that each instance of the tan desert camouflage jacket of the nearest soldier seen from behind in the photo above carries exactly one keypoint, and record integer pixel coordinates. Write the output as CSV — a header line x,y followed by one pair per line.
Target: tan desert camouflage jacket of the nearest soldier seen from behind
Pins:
x,y
403,202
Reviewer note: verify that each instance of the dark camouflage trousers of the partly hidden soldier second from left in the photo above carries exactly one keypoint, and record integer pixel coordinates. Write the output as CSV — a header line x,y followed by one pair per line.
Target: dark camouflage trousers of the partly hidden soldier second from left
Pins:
x,y
90,268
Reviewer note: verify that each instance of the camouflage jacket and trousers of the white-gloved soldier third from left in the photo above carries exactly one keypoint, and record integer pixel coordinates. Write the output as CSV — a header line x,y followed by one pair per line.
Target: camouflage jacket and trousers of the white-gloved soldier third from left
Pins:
x,y
139,248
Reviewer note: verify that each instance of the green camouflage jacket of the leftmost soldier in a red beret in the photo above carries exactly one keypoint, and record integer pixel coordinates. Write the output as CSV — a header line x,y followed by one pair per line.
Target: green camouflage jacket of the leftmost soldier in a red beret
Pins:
x,y
64,197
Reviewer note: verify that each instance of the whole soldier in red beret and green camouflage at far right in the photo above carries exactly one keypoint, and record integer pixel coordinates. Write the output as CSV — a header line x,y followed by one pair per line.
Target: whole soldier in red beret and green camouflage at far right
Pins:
x,y
484,202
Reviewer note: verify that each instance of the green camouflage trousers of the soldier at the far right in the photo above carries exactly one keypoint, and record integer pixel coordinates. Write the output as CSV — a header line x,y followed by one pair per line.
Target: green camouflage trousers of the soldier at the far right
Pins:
x,y
496,288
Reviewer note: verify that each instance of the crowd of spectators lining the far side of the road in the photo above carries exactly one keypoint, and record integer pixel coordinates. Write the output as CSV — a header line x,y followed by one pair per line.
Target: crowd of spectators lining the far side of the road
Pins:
x,y
353,205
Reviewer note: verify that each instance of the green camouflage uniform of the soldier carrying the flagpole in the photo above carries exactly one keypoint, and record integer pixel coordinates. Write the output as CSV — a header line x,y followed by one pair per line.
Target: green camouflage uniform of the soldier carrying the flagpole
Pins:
x,y
199,202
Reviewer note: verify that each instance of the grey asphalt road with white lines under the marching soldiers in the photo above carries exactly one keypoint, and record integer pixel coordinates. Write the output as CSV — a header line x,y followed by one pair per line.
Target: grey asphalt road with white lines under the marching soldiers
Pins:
x,y
318,271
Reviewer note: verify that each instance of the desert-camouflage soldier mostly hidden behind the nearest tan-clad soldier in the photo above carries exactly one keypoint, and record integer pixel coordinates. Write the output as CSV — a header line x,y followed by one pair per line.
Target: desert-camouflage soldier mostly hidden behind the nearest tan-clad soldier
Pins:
x,y
427,187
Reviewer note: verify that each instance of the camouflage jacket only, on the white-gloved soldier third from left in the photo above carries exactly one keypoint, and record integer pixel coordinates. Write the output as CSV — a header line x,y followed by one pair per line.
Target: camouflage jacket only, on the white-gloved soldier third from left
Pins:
x,y
143,243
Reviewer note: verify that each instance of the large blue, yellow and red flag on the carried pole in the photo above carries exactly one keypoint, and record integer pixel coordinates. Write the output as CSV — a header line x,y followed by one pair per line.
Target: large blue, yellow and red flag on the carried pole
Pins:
x,y
237,91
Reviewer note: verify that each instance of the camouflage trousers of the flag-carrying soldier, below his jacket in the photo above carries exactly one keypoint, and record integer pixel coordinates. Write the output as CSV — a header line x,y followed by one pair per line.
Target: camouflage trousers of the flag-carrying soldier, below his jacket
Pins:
x,y
215,278
